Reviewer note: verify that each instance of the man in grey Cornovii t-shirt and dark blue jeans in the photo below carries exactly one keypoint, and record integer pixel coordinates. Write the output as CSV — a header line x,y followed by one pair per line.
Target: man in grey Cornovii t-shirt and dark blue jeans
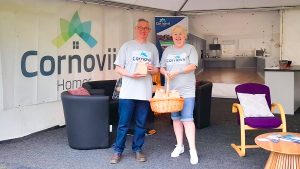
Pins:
x,y
136,89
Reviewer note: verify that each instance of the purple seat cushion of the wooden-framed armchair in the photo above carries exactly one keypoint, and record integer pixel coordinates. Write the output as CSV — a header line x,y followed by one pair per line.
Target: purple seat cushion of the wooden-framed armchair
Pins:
x,y
263,122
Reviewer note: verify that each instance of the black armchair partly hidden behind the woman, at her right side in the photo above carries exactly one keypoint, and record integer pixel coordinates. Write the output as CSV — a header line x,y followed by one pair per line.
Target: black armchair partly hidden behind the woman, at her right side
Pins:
x,y
202,104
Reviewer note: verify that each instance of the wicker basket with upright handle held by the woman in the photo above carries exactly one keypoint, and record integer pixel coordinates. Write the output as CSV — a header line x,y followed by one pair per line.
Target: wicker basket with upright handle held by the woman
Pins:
x,y
166,105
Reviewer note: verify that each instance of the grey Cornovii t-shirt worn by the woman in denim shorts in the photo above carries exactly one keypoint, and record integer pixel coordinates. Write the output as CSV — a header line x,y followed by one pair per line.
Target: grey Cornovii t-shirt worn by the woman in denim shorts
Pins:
x,y
176,59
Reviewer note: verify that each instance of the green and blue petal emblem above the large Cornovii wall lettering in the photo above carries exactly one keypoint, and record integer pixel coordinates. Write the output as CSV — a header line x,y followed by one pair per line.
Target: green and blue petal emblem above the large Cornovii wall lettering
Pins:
x,y
68,29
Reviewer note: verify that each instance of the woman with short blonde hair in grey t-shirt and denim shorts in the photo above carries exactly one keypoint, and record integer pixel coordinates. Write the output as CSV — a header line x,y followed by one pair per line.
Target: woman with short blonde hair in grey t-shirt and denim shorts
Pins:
x,y
178,63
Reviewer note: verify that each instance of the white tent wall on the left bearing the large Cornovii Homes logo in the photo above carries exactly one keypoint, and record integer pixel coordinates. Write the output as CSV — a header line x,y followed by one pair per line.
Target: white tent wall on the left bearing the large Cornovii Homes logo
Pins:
x,y
50,46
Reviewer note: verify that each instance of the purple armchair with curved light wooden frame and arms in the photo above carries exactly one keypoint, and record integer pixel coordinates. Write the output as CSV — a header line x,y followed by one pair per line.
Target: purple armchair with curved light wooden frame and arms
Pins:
x,y
256,123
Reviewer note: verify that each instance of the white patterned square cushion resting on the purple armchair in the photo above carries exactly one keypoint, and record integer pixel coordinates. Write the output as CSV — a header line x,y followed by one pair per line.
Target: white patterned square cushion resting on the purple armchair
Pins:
x,y
254,105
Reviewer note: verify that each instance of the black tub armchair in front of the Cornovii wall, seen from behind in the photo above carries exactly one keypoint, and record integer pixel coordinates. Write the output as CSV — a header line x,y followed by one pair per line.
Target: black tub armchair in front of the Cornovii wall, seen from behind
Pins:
x,y
86,121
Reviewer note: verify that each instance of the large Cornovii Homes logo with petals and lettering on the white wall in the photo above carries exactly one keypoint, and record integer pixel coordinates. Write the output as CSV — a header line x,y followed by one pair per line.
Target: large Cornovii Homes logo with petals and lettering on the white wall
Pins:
x,y
77,61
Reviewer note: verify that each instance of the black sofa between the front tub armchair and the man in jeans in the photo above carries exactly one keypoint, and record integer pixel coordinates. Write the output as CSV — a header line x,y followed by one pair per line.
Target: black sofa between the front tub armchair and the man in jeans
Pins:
x,y
105,87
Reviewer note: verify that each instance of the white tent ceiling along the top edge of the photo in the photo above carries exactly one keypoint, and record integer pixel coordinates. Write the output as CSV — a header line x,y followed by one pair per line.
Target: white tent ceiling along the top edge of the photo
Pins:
x,y
201,5
